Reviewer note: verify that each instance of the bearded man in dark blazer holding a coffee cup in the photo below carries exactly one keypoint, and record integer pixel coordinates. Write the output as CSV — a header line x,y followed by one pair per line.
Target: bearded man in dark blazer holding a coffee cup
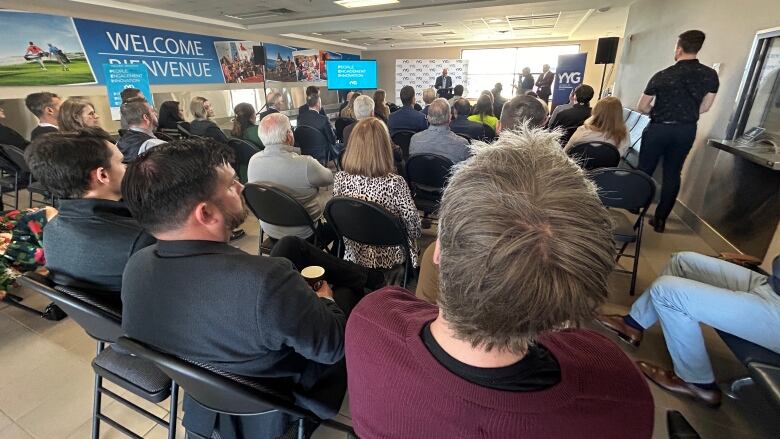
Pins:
x,y
245,314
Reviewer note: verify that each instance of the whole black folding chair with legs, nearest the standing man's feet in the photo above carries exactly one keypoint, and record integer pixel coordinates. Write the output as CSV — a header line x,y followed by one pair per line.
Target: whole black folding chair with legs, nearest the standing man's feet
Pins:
x,y
627,189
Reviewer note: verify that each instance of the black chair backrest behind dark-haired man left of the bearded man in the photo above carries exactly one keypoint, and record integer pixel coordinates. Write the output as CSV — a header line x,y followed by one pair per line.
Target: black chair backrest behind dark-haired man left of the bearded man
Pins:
x,y
100,320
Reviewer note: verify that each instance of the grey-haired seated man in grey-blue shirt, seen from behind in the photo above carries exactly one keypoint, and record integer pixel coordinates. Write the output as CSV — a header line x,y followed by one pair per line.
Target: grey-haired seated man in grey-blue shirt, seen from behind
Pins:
x,y
438,139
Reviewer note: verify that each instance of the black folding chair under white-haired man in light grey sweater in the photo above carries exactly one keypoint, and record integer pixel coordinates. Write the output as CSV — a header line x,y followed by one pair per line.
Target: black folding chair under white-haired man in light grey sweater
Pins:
x,y
270,204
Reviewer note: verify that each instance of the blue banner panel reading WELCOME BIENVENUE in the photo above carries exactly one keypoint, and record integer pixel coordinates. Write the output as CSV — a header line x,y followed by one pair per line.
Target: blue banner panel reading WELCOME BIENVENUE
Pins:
x,y
170,57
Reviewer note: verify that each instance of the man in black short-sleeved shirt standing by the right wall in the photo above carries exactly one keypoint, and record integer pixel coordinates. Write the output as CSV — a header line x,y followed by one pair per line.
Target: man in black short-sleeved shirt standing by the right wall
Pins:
x,y
675,97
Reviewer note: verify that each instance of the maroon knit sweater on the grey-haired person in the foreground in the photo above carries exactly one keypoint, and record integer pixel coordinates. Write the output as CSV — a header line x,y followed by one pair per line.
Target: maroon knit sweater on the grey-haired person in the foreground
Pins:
x,y
397,389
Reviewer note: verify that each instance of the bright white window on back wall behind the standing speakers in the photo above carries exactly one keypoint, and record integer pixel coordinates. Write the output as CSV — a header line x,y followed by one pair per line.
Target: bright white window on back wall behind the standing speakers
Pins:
x,y
486,67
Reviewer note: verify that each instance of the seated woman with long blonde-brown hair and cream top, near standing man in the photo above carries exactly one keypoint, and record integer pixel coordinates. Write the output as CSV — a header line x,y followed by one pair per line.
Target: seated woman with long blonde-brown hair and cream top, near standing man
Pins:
x,y
604,125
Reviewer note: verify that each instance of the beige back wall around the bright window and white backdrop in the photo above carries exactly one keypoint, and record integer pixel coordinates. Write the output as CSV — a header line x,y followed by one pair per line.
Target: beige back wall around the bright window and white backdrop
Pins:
x,y
386,61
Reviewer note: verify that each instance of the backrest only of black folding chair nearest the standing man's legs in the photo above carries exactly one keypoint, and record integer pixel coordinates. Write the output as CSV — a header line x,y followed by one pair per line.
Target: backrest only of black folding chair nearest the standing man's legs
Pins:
x,y
624,188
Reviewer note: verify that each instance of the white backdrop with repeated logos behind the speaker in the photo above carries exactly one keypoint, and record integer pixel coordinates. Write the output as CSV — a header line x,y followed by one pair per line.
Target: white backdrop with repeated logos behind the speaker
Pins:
x,y
422,74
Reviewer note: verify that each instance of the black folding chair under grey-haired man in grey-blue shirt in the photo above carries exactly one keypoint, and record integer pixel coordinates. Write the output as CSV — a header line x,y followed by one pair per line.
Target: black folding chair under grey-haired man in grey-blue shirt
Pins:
x,y
427,175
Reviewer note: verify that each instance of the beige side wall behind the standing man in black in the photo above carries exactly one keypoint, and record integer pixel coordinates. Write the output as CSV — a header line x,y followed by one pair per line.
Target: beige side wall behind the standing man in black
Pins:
x,y
651,33
